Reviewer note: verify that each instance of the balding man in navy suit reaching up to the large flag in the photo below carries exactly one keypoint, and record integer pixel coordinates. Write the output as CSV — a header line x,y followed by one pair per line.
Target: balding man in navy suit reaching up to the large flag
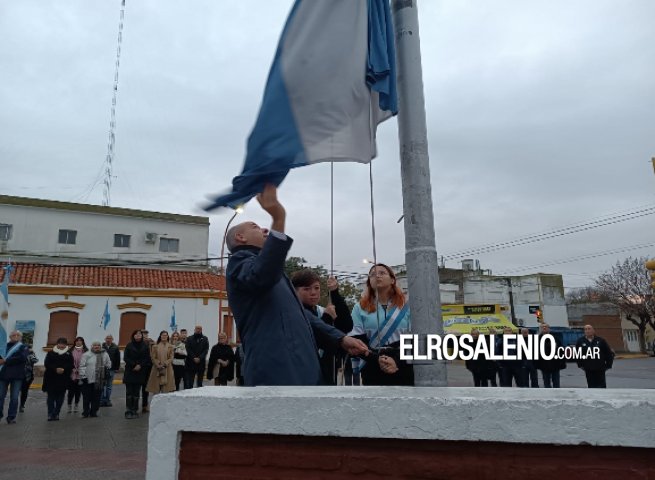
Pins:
x,y
280,338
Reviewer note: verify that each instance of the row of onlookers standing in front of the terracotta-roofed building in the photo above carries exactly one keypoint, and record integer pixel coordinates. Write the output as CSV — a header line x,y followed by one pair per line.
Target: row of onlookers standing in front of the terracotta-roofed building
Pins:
x,y
76,374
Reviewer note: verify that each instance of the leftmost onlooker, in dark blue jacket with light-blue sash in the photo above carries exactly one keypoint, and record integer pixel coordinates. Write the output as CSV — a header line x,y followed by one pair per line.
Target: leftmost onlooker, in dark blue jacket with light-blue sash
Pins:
x,y
12,374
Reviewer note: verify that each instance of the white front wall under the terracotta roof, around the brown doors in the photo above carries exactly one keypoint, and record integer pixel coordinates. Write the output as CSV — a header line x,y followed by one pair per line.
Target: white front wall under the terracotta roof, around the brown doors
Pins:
x,y
188,313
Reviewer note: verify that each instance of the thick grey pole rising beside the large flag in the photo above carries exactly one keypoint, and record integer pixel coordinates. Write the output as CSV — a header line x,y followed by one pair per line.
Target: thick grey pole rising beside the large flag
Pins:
x,y
420,251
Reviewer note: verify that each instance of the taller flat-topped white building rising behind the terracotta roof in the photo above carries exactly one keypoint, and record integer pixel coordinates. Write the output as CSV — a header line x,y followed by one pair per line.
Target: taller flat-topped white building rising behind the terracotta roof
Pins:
x,y
47,231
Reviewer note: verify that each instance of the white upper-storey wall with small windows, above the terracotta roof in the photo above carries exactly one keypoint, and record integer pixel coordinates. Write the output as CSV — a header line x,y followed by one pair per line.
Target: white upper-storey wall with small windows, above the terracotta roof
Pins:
x,y
36,230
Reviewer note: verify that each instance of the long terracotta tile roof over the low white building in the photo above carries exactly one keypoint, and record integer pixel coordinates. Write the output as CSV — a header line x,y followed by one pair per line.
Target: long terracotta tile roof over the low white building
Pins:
x,y
116,277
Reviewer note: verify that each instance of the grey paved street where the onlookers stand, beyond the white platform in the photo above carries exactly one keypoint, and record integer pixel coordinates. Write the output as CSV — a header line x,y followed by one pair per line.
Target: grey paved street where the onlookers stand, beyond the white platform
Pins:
x,y
111,447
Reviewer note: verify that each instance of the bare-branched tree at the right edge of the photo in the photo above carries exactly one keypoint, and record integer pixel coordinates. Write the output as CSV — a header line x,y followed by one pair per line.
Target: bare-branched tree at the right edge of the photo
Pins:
x,y
628,286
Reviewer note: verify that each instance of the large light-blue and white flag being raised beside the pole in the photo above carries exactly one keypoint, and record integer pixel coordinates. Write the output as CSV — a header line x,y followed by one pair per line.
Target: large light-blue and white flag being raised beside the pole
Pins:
x,y
333,79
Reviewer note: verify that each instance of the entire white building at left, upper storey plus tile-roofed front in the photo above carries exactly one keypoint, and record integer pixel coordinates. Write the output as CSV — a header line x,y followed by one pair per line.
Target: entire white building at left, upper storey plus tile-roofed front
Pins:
x,y
73,259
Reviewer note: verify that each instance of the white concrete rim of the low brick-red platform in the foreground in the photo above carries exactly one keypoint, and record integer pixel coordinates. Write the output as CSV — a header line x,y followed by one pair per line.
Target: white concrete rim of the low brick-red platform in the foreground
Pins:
x,y
623,417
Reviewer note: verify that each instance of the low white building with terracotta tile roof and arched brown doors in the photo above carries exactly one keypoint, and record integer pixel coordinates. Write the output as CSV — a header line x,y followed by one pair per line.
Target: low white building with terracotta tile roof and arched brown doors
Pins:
x,y
69,300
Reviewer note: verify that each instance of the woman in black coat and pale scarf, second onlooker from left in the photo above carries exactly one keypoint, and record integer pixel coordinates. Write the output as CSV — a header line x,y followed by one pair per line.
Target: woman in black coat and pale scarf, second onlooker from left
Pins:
x,y
58,367
